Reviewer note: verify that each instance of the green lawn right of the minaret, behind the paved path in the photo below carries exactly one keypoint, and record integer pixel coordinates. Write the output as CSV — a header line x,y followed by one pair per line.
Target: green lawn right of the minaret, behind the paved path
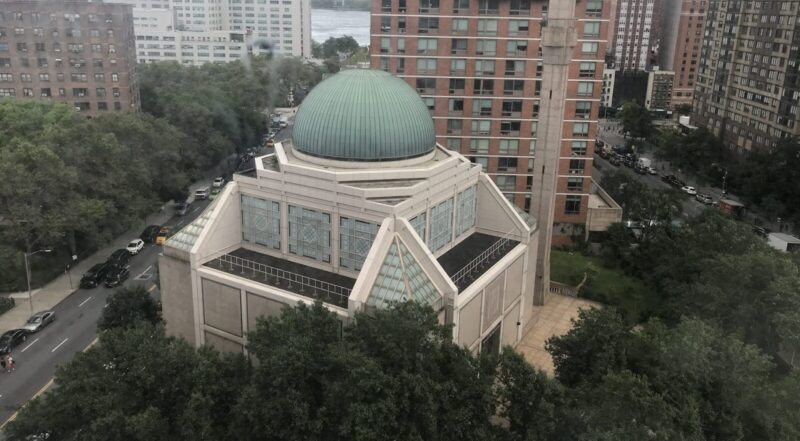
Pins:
x,y
609,286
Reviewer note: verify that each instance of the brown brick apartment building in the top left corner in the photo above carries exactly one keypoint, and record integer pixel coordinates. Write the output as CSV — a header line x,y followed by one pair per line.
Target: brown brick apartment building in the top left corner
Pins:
x,y
75,52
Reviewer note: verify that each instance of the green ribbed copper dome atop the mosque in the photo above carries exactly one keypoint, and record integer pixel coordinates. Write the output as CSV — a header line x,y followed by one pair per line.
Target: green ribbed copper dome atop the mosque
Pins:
x,y
363,115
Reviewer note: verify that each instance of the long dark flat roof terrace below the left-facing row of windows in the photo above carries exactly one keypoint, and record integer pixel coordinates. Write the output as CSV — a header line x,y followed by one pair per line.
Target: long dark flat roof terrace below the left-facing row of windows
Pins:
x,y
284,274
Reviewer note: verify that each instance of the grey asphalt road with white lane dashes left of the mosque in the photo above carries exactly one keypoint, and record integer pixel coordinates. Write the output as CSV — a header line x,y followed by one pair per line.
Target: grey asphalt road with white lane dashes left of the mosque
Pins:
x,y
74,329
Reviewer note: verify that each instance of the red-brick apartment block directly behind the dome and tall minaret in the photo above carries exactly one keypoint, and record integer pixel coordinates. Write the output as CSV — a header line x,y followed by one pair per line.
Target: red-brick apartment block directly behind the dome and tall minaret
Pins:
x,y
478,66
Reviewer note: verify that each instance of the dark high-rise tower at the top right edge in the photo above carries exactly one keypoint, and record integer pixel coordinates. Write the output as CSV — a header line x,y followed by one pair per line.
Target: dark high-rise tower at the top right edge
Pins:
x,y
747,89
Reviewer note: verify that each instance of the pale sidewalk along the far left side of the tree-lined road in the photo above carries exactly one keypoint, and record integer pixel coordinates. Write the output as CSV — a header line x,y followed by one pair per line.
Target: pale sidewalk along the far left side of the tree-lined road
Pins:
x,y
62,286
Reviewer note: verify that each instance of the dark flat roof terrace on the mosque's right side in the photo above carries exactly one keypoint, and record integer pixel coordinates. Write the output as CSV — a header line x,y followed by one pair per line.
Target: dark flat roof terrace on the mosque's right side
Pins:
x,y
471,258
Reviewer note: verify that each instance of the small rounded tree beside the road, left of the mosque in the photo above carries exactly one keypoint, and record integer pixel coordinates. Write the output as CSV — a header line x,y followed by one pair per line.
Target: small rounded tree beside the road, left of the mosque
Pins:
x,y
127,307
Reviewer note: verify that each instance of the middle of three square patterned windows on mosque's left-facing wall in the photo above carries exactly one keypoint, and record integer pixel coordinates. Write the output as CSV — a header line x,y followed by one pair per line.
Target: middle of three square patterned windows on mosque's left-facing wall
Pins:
x,y
310,233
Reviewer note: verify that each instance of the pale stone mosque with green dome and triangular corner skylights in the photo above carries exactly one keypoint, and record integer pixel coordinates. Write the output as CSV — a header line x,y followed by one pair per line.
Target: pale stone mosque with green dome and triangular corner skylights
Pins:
x,y
361,209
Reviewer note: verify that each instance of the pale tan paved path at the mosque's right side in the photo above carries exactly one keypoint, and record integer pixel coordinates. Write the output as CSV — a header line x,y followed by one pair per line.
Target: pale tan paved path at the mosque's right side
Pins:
x,y
554,318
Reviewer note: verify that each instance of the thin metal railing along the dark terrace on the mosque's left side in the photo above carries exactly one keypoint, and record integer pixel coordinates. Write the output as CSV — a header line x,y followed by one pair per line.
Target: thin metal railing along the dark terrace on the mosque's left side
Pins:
x,y
297,283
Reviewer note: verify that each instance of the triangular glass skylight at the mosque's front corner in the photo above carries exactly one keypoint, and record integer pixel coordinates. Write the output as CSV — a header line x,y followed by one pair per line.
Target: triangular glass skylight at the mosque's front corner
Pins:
x,y
401,279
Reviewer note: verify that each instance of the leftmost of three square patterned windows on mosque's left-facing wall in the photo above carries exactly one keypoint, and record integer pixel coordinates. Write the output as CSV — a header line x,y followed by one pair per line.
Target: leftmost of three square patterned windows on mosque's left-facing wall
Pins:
x,y
261,221
